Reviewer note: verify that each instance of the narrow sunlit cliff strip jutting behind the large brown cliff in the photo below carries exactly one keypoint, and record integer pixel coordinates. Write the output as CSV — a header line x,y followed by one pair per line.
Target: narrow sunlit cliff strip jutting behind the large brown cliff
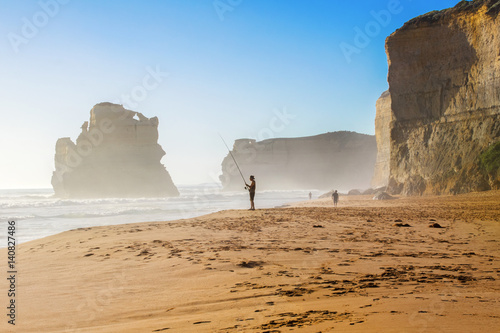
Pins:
x,y
383,121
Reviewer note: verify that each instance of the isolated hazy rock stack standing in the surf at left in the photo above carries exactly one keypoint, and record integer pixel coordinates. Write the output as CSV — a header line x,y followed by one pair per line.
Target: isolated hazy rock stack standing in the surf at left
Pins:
x,y
116,155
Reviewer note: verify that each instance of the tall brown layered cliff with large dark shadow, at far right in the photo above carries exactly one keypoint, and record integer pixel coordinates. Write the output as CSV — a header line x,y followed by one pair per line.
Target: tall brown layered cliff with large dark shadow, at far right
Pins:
x,y
444,82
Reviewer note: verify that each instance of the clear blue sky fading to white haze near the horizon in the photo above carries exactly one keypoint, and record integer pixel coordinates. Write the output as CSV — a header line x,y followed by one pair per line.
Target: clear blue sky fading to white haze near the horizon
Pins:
x,y
242,68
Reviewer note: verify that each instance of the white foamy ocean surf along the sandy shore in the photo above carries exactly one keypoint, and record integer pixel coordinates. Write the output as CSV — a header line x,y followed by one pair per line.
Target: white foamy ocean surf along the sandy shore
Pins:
x,y
39,214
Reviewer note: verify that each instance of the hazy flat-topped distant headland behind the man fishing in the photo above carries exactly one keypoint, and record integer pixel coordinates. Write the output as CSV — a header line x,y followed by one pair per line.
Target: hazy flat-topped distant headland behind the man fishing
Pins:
x,y
340,160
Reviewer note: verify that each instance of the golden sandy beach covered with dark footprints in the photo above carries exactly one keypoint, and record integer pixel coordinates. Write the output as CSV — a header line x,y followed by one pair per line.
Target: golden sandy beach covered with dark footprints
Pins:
x,y
365,266
